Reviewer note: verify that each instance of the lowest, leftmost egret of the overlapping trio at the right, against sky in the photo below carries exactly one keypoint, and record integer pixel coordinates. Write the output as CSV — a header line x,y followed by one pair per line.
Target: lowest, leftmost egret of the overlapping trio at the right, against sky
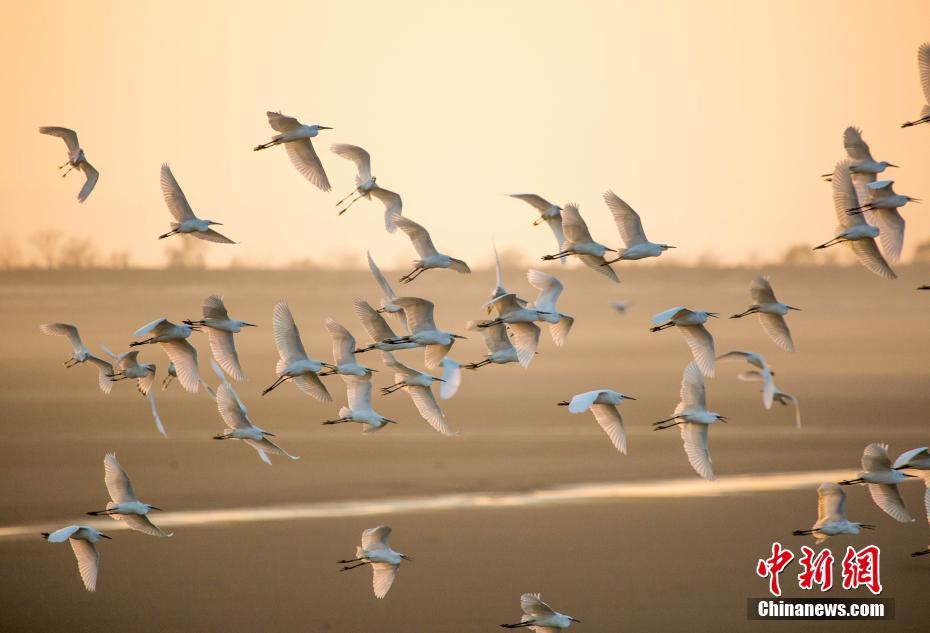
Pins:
x,y
852,228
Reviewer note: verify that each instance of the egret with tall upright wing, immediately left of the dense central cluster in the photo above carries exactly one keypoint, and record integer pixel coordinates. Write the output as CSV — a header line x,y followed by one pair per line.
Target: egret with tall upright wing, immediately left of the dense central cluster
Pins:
x,y
294,364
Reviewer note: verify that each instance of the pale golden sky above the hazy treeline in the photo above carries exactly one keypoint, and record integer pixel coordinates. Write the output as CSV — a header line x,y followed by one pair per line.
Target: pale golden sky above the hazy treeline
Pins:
x,y
712,119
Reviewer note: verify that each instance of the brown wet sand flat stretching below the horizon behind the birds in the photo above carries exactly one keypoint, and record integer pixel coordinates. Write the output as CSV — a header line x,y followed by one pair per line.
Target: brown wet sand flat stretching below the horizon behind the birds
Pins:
x,y
671,564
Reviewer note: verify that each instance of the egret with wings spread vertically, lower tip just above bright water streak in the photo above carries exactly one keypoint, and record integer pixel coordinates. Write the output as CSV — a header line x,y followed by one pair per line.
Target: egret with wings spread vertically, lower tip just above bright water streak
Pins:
x,y
692,416
